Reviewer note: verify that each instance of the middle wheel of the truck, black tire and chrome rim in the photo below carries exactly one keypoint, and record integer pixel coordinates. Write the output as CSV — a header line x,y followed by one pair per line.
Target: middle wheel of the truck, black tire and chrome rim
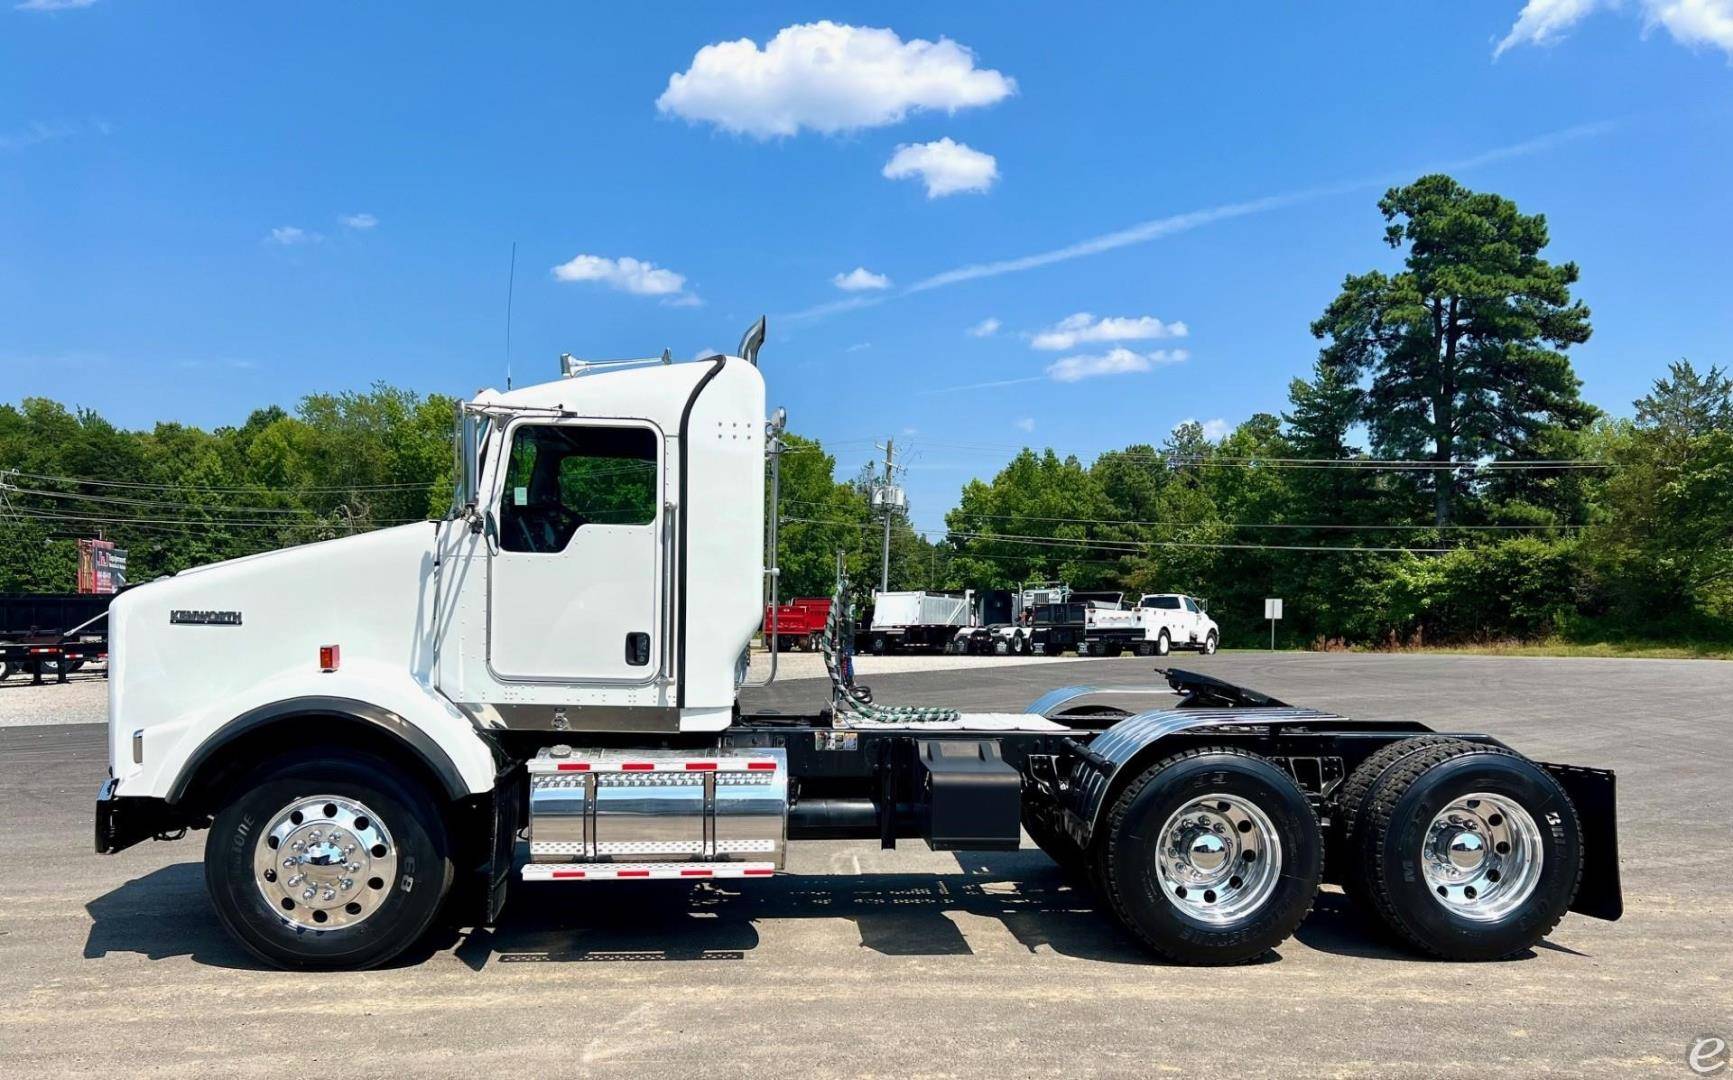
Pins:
x,y
1212,857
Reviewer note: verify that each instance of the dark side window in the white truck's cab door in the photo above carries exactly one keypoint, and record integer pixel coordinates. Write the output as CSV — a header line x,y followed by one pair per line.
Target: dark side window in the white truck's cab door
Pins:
x,y
564,478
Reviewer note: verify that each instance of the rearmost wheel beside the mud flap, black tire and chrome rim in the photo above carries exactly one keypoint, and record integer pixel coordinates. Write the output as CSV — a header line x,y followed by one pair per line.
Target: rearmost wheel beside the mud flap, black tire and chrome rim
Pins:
x,y
1470,852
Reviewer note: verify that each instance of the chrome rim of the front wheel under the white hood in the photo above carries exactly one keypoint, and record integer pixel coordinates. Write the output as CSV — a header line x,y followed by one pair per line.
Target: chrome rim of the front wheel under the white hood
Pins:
x,y
325,862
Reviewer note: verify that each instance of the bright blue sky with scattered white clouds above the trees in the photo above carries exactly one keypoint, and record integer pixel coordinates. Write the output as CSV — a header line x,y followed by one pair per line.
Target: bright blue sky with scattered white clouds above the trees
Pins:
x,y
205,209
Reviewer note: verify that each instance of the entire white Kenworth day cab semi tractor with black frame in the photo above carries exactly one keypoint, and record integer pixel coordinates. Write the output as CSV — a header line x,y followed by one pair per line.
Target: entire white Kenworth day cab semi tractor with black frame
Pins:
x,y
370,727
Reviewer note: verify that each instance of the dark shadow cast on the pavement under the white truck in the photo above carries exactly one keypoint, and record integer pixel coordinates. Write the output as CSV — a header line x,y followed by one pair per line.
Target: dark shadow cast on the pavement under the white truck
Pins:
x,y
899,914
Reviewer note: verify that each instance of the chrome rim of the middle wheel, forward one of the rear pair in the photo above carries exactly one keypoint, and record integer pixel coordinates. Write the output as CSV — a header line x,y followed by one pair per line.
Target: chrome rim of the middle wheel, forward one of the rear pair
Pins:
x,y
1219,859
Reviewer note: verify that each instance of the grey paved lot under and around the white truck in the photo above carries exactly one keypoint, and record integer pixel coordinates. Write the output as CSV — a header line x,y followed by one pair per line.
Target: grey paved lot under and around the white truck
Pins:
x,y
909,963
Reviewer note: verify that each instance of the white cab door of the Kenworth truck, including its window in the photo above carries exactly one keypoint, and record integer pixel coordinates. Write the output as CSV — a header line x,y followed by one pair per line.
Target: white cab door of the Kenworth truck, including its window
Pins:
x,y
576,583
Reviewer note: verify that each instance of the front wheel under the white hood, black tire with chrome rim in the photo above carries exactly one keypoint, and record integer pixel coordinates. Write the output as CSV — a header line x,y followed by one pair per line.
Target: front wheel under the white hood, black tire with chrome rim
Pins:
x,y
328,861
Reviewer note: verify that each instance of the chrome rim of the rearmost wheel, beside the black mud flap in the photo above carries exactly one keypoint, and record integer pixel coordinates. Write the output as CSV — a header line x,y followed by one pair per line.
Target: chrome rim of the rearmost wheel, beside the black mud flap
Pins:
x,y
1483,857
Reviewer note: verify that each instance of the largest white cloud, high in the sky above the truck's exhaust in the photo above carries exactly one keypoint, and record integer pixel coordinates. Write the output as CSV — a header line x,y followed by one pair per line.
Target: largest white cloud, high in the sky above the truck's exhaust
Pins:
x,y
829,79
